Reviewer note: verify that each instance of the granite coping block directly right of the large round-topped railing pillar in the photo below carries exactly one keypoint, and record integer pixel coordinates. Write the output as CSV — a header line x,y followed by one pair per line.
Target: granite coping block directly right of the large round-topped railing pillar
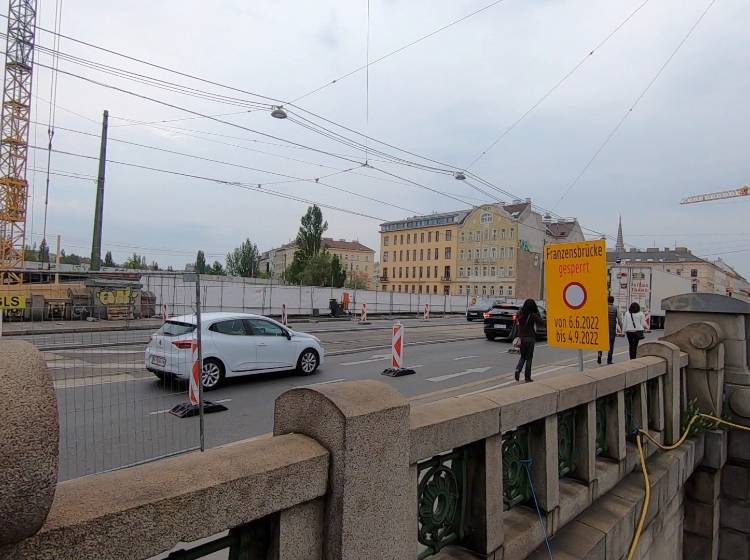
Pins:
x,y
449,423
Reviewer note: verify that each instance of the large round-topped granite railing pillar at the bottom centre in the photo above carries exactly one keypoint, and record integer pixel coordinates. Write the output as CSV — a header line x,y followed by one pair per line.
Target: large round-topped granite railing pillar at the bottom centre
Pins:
x,y
365,427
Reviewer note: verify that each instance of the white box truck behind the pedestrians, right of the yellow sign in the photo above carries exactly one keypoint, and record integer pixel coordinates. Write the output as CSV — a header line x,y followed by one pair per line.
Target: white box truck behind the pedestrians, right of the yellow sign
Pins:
x,y
647,287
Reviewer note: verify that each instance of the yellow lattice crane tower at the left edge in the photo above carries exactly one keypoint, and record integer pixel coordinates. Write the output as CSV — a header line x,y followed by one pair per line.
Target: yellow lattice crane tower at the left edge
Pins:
x,y
14,137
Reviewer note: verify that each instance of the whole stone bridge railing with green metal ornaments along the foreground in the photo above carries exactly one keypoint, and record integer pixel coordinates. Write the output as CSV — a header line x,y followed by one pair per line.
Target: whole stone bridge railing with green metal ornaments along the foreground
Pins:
x,y
353,470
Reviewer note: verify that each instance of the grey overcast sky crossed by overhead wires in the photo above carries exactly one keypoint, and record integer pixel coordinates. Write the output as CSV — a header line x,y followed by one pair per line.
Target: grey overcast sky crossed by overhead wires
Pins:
x,y
447,97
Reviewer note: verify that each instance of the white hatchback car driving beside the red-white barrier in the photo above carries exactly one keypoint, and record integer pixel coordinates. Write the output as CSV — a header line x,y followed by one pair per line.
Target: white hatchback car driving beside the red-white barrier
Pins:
x,y
234,344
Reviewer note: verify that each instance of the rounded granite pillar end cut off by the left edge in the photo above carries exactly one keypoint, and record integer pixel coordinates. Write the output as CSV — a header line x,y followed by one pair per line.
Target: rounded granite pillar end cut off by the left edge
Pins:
x,y
29,456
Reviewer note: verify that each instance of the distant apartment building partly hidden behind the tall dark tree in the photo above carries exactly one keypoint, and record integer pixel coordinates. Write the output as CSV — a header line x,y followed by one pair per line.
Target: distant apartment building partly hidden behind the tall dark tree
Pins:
x,y
358,259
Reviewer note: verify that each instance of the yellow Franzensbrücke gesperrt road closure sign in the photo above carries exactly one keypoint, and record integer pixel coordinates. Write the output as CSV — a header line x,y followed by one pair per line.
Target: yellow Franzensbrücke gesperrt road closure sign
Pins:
x,y
576,279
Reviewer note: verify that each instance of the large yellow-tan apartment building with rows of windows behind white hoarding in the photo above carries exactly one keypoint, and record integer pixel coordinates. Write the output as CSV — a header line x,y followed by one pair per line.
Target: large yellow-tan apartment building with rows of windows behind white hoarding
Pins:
x,y
489,251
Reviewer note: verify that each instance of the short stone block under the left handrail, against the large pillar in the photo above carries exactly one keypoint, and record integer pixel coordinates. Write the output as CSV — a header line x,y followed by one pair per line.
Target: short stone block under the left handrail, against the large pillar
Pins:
x,y
301,531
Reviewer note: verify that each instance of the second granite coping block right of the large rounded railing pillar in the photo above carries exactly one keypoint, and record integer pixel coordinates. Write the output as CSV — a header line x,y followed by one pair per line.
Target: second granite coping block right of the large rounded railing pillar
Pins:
x,y
523,404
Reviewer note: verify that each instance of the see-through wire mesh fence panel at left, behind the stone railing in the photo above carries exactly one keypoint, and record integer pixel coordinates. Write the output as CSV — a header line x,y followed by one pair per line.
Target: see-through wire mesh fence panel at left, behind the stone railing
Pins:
x,y
93,330
